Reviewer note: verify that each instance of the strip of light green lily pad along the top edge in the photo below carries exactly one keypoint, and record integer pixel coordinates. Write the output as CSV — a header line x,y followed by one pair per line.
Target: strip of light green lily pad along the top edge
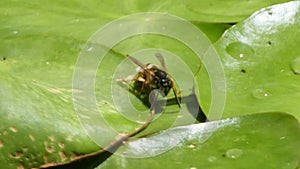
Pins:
x,y
203,10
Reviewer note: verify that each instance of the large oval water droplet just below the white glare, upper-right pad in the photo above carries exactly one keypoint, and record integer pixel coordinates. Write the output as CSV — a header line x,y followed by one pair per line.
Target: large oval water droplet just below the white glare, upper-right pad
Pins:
x,y
239,50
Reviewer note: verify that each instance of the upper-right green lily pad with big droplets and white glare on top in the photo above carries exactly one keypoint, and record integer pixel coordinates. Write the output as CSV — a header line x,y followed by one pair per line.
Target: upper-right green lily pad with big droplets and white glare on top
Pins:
x,y
261,61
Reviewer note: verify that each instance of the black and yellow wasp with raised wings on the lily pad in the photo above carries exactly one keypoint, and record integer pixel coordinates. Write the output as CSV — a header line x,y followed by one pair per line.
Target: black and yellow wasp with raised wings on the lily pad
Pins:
x,y
151,77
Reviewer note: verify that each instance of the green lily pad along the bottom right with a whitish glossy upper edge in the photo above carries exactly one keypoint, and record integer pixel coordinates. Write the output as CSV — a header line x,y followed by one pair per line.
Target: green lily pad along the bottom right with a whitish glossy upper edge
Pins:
x,y
267,140
